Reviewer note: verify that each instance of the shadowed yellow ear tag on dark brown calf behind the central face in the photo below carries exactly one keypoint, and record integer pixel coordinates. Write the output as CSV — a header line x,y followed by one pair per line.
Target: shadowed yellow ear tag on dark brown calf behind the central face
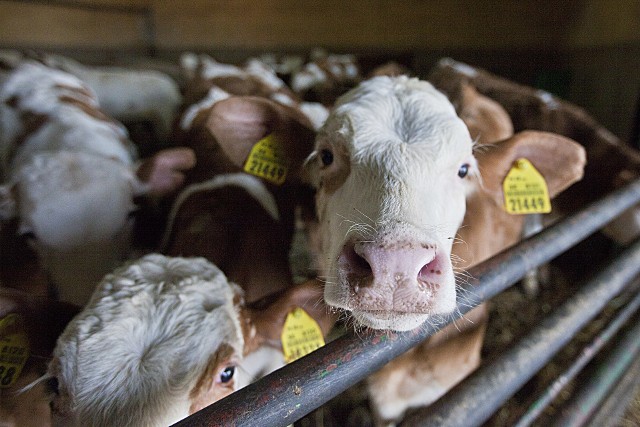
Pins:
x,y
267,160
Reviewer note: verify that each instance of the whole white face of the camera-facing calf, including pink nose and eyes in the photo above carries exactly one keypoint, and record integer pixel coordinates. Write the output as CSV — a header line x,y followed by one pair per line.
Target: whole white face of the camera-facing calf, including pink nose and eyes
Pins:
x,y
390,166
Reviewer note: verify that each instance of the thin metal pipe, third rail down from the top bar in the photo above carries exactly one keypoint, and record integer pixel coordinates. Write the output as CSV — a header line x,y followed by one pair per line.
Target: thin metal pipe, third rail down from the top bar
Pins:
x,y
586,355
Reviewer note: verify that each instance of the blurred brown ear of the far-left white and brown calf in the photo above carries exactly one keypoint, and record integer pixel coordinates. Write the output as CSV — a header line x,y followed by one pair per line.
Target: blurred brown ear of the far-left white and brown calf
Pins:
x,y
163,173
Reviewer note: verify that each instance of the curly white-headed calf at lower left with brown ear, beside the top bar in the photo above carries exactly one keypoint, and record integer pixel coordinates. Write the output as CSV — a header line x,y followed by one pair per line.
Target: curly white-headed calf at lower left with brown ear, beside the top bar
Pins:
x,y
160,339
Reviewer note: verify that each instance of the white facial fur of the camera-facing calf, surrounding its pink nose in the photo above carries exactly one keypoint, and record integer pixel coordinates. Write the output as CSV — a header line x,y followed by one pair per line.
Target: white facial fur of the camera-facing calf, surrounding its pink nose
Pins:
x,y
405,145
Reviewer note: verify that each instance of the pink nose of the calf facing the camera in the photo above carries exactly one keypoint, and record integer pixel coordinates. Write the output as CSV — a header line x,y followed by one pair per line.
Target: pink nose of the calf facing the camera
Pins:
x,y
404,276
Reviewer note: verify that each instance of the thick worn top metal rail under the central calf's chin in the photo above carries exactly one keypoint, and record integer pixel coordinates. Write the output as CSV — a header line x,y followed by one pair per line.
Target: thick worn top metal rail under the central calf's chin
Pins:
x,y
291,392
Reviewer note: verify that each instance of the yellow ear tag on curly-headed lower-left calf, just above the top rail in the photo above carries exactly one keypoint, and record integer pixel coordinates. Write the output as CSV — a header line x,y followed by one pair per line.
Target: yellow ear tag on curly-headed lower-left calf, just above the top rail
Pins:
x,y
300,335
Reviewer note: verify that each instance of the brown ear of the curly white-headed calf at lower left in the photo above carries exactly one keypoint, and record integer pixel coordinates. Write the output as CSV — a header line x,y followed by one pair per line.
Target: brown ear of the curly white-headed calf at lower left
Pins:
x,y
269,320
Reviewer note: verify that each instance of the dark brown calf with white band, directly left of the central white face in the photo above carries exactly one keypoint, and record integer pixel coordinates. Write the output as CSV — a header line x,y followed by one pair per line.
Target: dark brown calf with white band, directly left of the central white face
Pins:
x,y
230,215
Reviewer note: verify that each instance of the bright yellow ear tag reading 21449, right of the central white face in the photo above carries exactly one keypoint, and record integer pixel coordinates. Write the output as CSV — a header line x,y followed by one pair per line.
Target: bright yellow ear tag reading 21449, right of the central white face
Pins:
x,y
525,190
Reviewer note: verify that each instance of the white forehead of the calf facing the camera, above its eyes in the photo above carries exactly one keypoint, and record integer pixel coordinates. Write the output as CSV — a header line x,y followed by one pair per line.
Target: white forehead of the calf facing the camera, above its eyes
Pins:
x,y
385,115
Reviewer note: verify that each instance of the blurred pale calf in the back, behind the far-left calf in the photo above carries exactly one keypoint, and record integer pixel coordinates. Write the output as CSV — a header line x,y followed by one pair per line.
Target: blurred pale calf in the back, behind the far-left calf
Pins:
x,y
128,95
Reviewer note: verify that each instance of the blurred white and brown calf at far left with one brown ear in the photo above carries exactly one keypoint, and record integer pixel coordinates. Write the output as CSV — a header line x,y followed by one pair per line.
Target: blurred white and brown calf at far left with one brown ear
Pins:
x,y
71,176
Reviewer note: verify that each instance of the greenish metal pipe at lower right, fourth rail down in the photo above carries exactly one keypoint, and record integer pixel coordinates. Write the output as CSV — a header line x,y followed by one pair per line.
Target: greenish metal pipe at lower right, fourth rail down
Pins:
x,y
584,404
